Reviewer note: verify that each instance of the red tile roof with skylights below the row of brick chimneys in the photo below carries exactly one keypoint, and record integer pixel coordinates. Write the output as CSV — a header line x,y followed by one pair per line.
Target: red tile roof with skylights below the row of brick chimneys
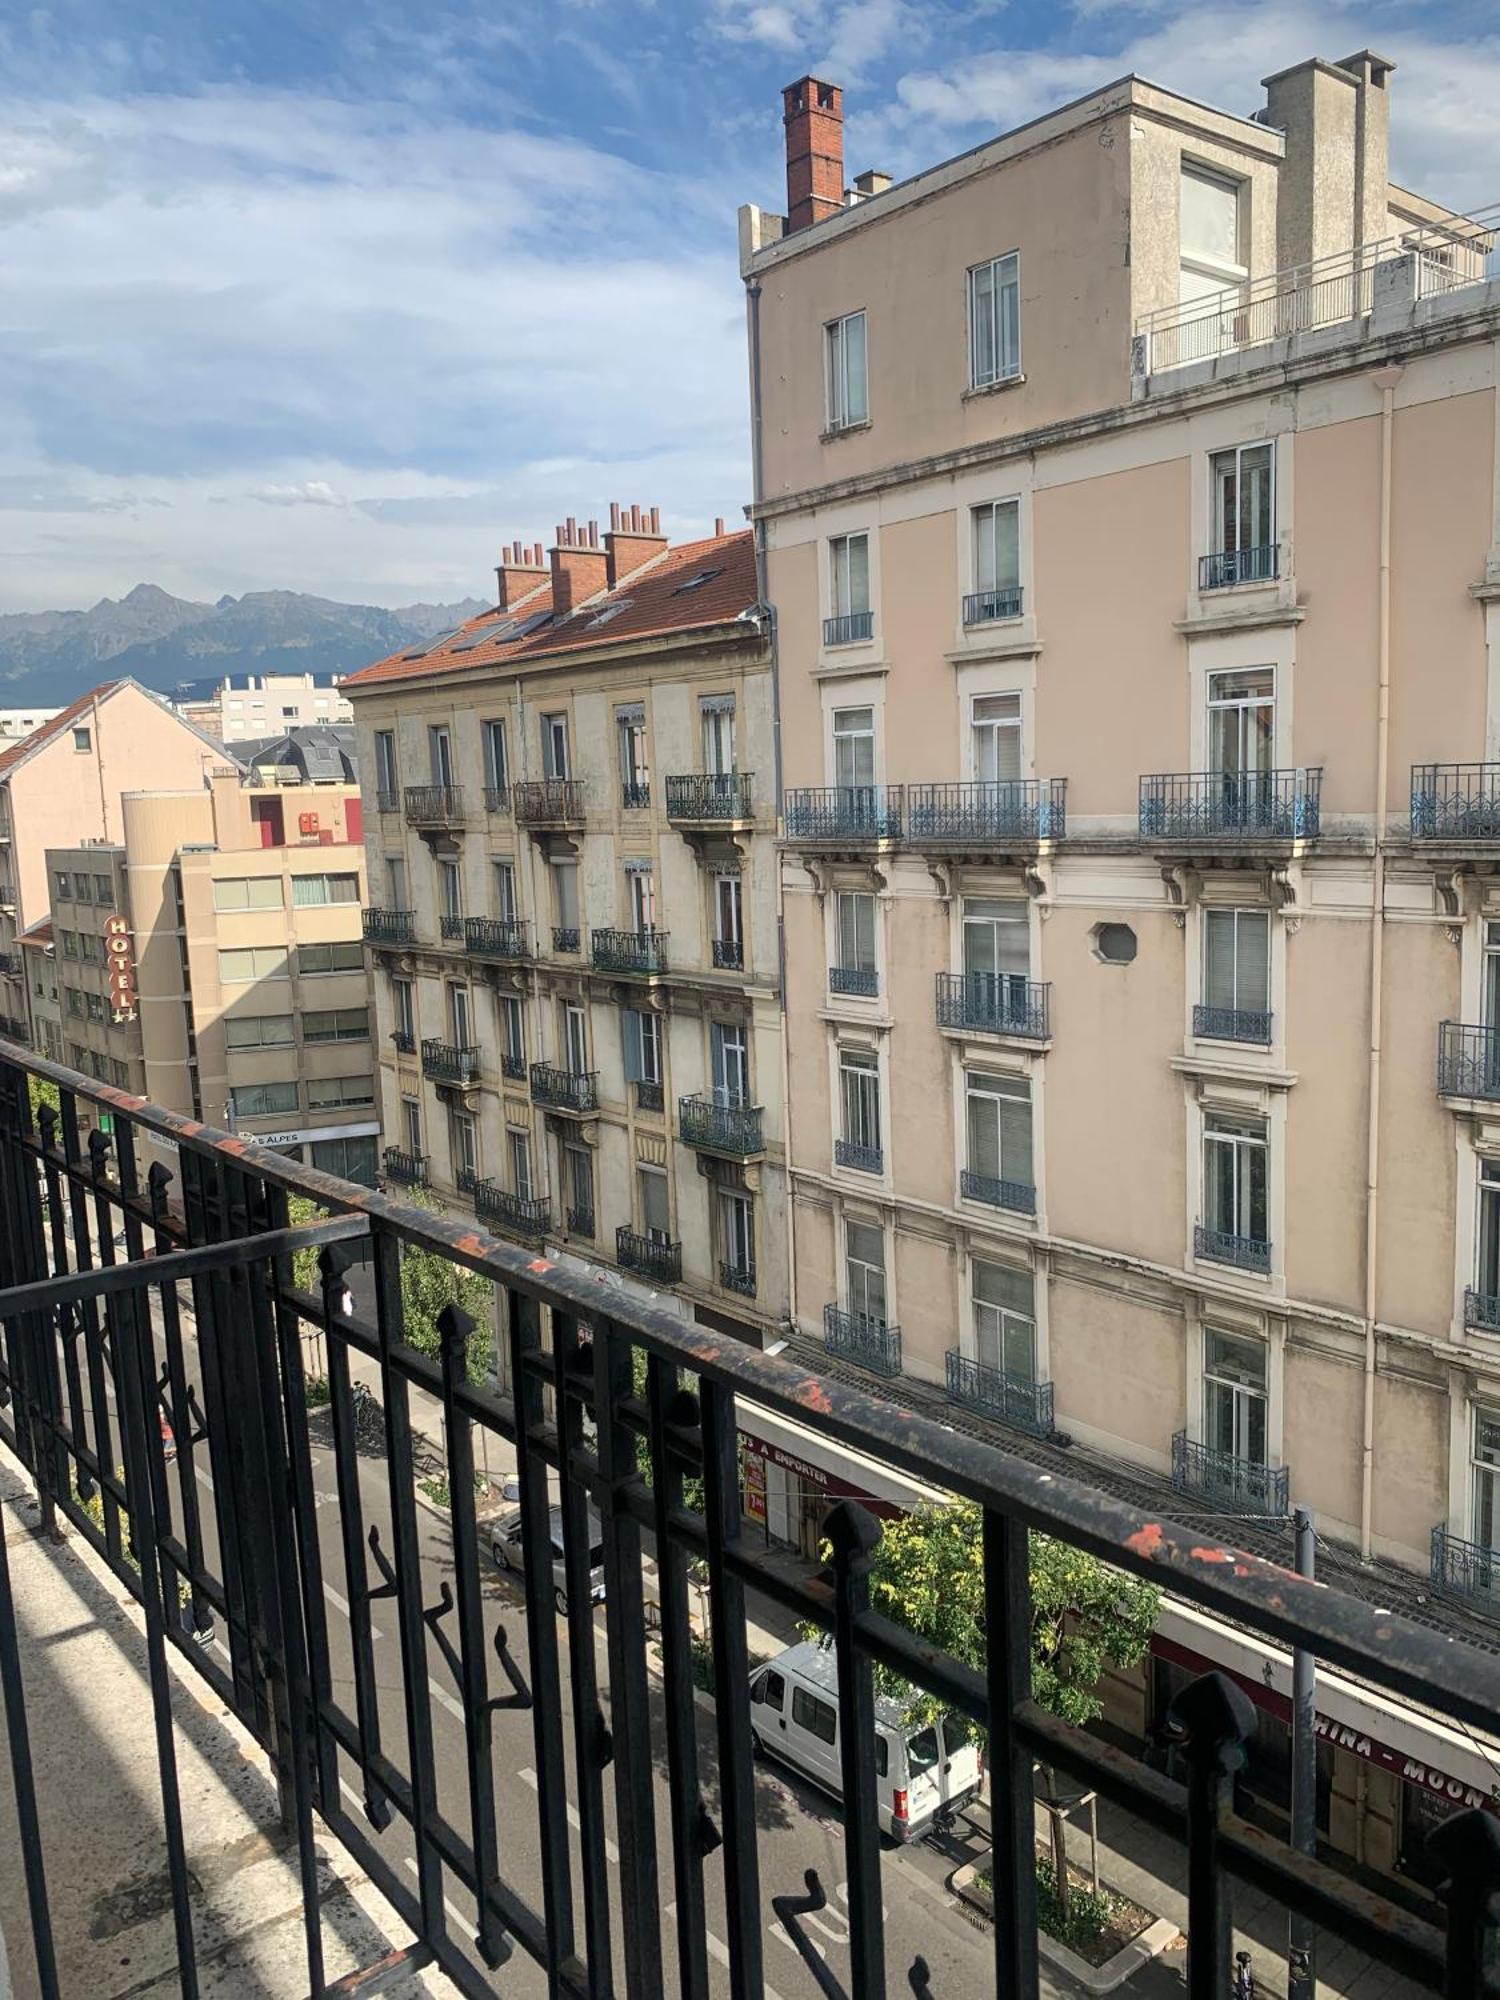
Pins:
x,y
655,603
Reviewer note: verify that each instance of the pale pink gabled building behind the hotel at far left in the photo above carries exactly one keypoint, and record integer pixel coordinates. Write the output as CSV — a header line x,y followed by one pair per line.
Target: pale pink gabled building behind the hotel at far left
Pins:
x,y
63,785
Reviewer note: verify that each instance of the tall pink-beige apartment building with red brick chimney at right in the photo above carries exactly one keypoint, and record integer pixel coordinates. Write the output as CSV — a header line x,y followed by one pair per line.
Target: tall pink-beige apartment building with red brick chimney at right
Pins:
x,y
1131,509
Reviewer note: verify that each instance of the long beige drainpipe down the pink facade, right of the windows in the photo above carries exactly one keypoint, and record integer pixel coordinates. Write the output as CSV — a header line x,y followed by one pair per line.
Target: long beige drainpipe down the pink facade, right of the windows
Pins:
x,y
1385,381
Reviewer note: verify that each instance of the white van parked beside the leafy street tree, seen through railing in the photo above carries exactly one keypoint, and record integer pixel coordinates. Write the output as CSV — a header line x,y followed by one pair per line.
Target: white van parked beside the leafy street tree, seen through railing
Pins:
x,y
921,1769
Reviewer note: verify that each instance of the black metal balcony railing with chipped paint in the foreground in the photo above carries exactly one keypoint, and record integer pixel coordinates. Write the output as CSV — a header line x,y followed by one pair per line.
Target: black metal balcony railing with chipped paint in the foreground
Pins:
x,y
275,1533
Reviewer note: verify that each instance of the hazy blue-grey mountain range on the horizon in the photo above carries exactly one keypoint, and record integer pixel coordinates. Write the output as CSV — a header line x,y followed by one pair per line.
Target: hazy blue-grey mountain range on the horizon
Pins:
x,y
163,641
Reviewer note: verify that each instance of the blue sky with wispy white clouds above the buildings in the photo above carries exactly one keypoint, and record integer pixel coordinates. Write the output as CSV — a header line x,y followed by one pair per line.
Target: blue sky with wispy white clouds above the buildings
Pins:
x,y
343,295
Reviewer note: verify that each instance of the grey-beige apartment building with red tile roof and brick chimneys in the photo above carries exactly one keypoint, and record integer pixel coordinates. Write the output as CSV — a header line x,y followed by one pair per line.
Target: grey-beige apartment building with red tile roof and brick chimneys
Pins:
x,y
573,925
